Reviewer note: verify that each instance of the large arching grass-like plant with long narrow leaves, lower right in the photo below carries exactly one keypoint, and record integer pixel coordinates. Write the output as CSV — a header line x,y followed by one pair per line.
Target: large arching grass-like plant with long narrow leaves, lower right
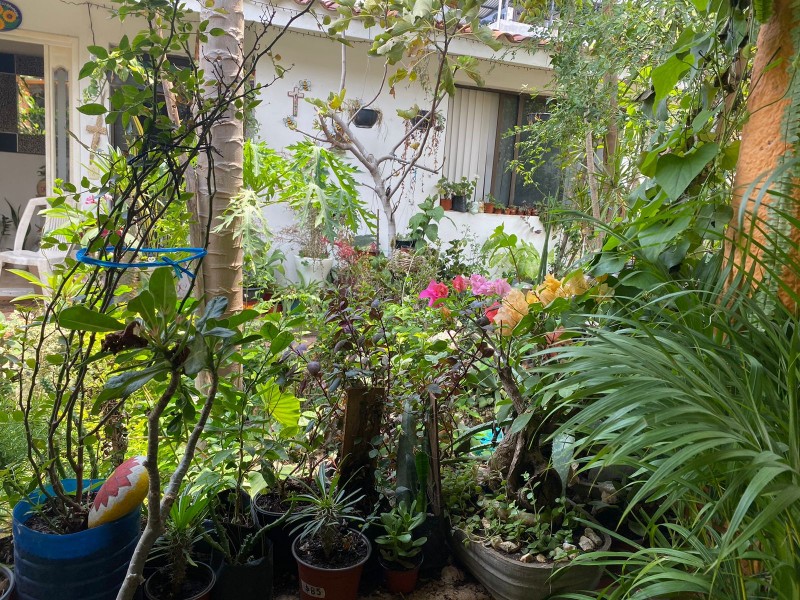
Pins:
x,y
695,385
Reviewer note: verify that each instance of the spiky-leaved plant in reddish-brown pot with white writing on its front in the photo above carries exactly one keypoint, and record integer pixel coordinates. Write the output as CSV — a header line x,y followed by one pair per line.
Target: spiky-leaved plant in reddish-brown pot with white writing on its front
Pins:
x,y
330,556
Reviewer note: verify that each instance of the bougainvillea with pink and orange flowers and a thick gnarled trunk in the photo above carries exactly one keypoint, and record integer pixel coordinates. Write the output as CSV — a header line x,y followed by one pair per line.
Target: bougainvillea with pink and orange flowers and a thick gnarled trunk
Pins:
x,y
514,328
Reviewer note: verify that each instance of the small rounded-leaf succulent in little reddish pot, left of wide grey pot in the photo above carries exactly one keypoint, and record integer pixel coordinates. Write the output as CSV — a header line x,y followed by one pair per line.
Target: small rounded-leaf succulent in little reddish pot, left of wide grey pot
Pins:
x,y
400,552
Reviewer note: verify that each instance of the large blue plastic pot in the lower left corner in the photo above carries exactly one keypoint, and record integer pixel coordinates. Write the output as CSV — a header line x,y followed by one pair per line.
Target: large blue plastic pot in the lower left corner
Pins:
x,y
88,565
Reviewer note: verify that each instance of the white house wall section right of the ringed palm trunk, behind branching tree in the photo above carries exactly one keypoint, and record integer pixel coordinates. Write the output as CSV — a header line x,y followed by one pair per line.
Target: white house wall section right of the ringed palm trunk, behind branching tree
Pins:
x,y
316,59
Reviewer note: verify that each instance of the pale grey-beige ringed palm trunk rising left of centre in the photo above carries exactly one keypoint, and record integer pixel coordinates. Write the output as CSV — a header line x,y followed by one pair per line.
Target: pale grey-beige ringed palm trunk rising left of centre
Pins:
x,y
220,169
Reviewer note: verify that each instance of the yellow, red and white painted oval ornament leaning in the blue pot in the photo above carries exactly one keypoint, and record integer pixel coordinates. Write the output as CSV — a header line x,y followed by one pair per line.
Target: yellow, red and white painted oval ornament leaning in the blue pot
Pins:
x,y
122,492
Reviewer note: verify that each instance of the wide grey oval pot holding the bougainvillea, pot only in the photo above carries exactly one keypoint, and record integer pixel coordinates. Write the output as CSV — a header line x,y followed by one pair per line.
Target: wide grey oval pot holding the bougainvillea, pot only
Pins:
x,y
510,579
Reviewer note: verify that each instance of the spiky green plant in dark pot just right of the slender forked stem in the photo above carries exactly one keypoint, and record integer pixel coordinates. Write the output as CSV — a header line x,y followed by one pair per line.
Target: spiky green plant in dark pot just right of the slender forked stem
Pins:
x,y
181,577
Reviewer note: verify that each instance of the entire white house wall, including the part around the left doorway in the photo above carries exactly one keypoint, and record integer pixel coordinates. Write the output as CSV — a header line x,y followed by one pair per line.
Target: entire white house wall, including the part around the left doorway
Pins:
x,y
318,60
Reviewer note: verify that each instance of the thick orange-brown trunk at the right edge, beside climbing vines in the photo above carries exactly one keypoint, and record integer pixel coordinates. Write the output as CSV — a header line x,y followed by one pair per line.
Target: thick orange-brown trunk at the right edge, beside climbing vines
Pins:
x,y
767,143
